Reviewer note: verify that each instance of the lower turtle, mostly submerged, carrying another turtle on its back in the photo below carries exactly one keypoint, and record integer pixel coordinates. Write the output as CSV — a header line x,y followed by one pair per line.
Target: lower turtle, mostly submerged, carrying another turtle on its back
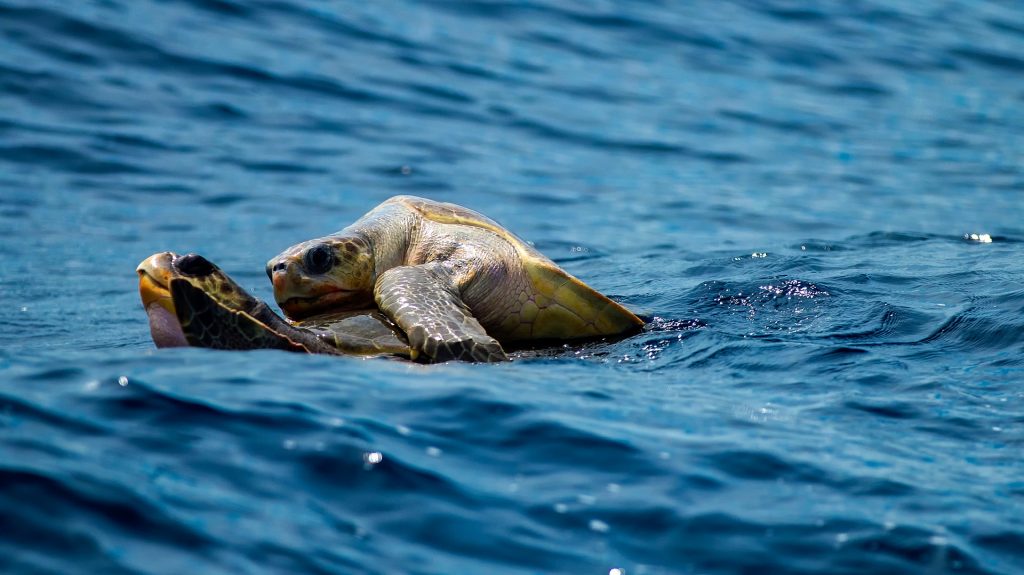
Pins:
x,y
190,301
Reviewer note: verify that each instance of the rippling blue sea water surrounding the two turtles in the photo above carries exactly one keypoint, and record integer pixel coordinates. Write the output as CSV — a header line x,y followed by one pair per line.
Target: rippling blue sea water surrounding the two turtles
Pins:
x,y
833,382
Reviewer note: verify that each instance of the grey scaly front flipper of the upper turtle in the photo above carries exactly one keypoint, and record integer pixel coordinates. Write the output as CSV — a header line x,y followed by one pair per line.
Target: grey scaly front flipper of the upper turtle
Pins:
x,y
426,305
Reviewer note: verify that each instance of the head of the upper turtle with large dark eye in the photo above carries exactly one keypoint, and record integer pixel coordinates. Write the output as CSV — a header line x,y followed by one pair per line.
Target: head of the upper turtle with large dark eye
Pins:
x,y
326,275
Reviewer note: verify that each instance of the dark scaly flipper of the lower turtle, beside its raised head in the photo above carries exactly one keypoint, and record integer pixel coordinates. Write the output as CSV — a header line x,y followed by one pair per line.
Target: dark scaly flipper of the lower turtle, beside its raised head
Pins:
x,y
206,323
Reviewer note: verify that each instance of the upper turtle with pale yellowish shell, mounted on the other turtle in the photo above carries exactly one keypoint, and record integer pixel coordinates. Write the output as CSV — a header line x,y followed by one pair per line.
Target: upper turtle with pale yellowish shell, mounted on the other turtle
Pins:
x,y
456,282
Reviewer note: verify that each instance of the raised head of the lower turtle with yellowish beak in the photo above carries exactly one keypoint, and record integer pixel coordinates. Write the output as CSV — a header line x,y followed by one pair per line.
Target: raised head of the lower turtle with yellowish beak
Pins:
x,y
177,289
